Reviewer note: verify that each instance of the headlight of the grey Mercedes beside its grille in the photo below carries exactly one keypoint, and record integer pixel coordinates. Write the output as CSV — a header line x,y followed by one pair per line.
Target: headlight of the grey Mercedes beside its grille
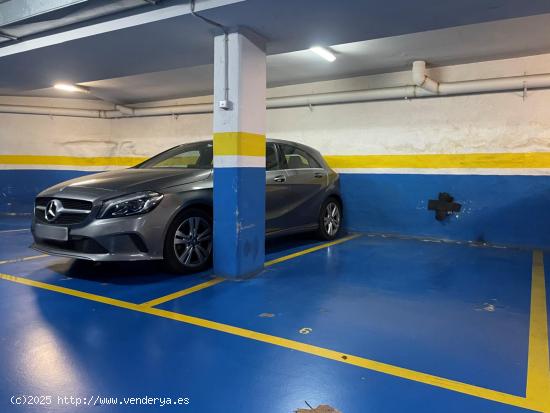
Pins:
x,y
133,204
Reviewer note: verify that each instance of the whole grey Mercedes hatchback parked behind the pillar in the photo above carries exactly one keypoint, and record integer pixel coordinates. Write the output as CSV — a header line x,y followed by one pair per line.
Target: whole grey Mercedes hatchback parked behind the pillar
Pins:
x,y
161,209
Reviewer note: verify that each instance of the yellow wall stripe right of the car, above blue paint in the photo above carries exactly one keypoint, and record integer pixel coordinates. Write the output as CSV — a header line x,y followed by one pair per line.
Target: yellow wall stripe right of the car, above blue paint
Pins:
x,y
440,161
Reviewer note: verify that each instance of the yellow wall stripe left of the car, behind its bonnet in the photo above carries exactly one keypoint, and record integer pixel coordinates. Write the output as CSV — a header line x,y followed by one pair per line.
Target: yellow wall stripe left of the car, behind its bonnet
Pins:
x,y
69,160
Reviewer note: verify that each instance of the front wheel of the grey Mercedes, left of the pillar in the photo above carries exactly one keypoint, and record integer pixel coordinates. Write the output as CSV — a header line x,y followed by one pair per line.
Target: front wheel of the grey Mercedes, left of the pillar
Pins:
x,y
188,244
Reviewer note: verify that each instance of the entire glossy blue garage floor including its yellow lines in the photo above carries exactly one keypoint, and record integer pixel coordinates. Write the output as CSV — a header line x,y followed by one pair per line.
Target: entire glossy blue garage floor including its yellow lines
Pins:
x,y
370,324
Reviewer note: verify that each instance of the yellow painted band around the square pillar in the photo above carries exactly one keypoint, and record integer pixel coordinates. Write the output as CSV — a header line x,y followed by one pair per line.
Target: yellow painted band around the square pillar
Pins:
x,y
239,143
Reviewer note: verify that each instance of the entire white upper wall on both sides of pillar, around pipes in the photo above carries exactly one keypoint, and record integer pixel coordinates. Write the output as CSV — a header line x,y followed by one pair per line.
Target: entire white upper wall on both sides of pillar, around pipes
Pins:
x,y
502,122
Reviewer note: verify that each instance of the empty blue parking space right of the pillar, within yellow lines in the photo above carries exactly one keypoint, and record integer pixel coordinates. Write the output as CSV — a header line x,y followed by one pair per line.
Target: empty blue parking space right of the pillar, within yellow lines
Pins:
x,y
449,309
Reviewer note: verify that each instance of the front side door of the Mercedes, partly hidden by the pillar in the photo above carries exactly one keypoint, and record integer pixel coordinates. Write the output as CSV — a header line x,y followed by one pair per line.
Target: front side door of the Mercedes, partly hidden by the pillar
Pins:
x,y
277,190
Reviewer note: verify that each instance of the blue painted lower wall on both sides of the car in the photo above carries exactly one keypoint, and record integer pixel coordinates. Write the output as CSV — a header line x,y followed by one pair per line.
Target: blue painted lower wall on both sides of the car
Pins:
x,y
513,210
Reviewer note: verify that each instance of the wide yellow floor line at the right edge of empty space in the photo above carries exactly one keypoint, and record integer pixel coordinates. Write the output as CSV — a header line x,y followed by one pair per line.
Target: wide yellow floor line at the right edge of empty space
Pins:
x,y
538,369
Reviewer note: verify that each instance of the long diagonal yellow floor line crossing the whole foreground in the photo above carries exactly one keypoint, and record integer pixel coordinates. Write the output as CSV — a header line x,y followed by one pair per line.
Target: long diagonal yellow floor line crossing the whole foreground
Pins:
x,y
373,365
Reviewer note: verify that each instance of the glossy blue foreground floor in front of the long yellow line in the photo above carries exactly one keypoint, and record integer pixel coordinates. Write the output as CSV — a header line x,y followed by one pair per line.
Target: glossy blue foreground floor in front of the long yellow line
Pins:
x,y
180,360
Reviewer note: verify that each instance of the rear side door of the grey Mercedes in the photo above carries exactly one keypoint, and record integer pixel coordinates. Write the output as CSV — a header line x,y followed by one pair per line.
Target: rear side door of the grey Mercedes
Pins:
x,y
307,182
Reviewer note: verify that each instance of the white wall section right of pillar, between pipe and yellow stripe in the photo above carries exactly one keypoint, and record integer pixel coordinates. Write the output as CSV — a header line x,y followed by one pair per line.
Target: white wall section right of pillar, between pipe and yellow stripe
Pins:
x,y
489,123
